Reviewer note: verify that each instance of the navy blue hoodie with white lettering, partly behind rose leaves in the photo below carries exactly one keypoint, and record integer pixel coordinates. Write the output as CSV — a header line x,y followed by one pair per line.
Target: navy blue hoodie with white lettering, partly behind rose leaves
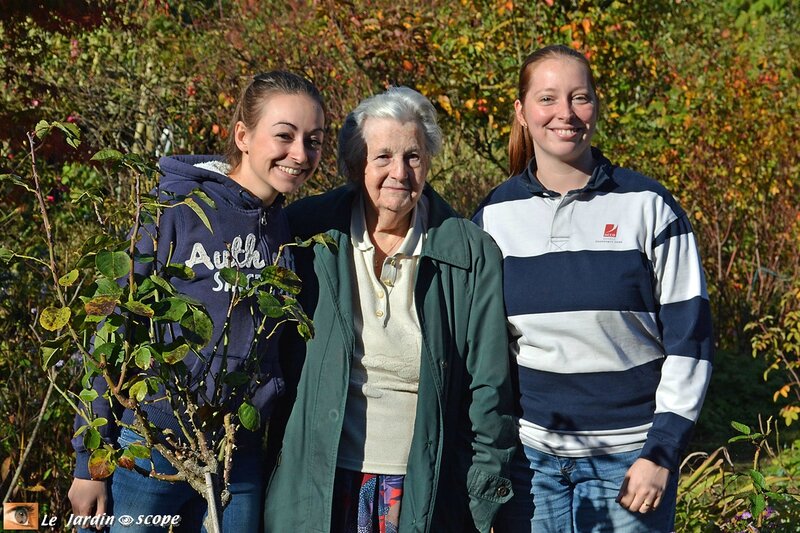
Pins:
x,y
245,233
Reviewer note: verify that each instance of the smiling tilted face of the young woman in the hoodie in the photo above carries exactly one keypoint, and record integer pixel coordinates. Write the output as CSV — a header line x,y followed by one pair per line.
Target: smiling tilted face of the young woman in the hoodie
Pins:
x,y
283,149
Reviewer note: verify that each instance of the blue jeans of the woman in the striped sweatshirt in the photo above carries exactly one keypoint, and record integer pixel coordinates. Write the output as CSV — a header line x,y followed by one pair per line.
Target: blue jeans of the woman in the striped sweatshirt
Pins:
x,y
577,494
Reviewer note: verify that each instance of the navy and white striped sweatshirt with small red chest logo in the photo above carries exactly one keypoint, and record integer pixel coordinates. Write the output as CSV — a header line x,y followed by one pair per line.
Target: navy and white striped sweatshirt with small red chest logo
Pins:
x,y
608,313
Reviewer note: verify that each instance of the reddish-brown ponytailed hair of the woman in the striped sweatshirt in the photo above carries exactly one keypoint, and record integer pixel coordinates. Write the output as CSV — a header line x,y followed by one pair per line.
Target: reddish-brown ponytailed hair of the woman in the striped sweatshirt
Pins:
x,y
520,143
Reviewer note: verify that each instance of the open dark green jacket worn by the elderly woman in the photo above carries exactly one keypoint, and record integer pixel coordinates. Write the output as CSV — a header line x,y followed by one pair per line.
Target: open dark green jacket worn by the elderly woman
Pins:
x,y
464,433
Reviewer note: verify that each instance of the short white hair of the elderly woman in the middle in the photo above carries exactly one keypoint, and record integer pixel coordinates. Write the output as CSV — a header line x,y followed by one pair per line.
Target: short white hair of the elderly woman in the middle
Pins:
x,y
398,103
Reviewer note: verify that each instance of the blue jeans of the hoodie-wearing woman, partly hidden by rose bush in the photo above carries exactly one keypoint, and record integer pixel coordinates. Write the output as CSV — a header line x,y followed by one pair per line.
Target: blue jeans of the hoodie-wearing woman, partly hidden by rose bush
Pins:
x,y
135,495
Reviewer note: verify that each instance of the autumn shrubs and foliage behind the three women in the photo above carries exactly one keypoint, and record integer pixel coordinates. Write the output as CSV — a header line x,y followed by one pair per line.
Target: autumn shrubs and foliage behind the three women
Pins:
x,y
703,96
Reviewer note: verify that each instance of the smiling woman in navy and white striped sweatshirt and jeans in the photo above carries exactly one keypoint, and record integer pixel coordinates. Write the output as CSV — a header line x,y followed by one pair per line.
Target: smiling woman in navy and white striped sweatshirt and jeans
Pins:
x,y
608,315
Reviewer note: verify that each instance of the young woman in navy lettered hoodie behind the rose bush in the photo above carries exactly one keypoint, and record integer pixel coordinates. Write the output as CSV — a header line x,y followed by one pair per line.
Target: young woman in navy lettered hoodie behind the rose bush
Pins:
x,y
275,146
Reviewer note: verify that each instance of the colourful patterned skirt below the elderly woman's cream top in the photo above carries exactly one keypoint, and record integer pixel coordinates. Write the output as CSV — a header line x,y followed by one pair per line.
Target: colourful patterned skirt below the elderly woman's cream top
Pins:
x,y
366,503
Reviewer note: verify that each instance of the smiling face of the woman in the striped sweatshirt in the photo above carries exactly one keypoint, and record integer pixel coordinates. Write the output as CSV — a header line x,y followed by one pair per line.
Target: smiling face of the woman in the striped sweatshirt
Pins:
x,y
560,111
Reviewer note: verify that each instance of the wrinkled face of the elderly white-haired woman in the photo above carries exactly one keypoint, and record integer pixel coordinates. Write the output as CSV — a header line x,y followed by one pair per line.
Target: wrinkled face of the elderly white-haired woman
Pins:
x,y
396,166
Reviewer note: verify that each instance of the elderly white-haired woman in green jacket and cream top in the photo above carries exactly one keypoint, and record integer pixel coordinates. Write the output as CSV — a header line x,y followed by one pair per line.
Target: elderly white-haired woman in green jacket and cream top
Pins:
x,y
402,412
